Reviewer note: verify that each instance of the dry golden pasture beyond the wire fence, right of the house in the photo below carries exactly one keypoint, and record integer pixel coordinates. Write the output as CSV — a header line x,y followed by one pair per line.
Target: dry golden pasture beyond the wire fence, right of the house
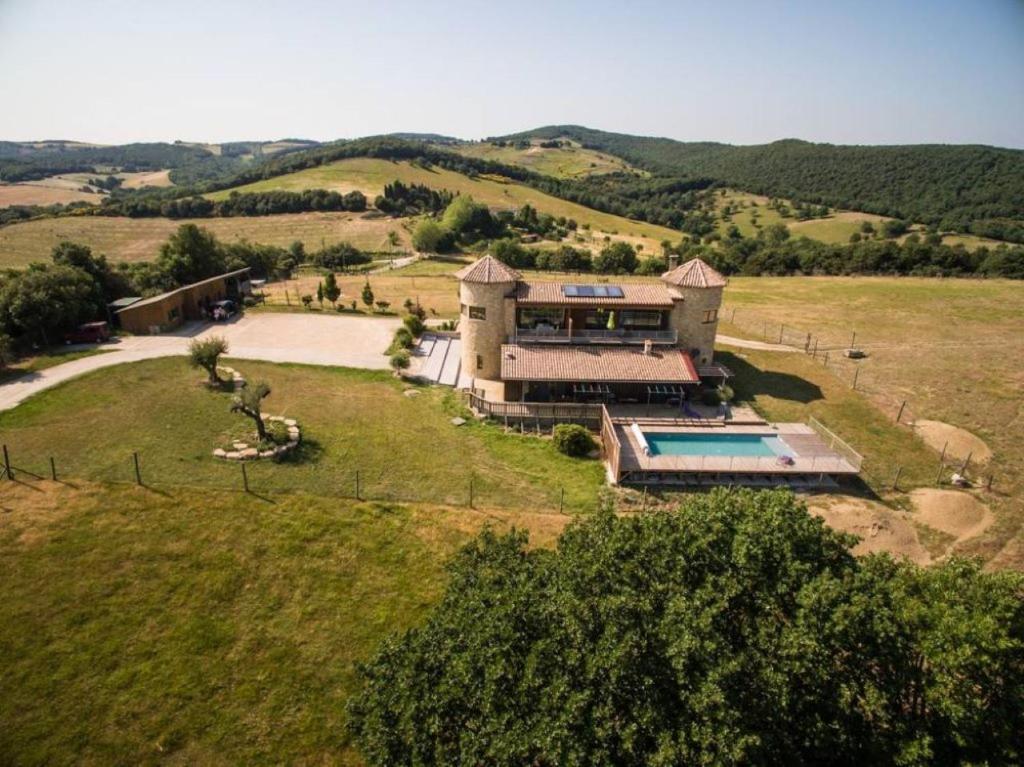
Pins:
x,y
952,349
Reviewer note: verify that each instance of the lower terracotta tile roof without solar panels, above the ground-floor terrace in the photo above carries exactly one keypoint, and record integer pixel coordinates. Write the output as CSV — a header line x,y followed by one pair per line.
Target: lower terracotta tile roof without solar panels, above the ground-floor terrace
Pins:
x,y
596,364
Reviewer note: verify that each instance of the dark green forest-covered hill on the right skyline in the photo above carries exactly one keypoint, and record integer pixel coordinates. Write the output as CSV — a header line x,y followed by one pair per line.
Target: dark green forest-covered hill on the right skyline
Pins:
x,y
964,188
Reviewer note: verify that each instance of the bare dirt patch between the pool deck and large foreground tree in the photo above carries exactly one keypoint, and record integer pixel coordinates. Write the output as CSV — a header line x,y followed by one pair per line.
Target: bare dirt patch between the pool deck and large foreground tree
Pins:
x,y
879,528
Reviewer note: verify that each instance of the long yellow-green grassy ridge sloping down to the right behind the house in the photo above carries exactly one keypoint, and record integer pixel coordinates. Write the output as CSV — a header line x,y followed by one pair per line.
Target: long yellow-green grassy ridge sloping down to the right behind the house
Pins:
x,y
370,176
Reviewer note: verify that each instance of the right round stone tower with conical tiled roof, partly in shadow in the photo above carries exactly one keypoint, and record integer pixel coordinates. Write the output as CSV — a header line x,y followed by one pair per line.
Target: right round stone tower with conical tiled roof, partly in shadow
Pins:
x,y
697,291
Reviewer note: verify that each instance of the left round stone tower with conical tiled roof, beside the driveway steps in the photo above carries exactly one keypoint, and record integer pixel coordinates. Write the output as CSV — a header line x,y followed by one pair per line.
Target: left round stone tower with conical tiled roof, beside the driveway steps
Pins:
x,y
487,297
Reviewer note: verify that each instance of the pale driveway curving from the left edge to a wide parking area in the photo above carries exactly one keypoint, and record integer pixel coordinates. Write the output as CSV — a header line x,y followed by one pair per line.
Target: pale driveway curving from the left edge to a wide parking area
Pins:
x,y
311,339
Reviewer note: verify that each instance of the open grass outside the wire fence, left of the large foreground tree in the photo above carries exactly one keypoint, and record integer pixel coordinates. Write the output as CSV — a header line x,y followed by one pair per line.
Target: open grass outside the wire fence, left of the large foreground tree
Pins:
x,y
184,627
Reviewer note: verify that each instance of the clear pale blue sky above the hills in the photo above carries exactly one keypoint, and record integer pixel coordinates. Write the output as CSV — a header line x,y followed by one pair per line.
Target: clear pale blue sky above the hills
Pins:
x,y
867,72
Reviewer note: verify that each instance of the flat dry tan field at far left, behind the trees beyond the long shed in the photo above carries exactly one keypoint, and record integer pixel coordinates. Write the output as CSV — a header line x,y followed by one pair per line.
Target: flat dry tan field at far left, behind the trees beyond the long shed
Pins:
x,y
140,239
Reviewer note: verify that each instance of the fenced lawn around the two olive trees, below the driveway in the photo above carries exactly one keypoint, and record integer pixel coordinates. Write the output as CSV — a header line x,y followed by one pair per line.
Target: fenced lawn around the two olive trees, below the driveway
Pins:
x,y
404,448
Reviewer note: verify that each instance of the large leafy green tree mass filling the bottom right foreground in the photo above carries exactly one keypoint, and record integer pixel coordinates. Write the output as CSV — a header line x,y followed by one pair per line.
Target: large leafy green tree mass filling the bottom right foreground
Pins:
x,y
739,630
